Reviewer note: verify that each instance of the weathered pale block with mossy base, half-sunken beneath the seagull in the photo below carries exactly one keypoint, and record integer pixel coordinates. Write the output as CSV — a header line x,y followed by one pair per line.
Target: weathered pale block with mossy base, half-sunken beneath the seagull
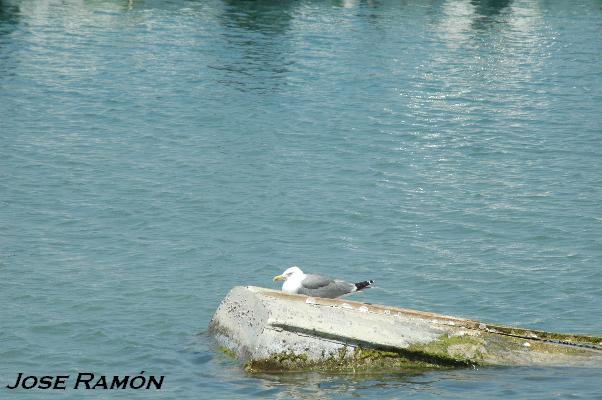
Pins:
x,y
270,330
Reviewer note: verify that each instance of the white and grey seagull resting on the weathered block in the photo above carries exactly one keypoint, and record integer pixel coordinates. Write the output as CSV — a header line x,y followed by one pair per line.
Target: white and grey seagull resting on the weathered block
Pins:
x,y
296,282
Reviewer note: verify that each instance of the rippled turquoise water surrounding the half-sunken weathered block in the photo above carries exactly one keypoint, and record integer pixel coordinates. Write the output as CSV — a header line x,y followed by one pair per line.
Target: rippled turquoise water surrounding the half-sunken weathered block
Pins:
x,y
154,154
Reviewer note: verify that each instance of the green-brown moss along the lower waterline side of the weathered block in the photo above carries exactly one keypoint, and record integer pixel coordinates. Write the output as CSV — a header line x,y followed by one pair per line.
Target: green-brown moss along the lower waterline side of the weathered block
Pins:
x,y
444,352
